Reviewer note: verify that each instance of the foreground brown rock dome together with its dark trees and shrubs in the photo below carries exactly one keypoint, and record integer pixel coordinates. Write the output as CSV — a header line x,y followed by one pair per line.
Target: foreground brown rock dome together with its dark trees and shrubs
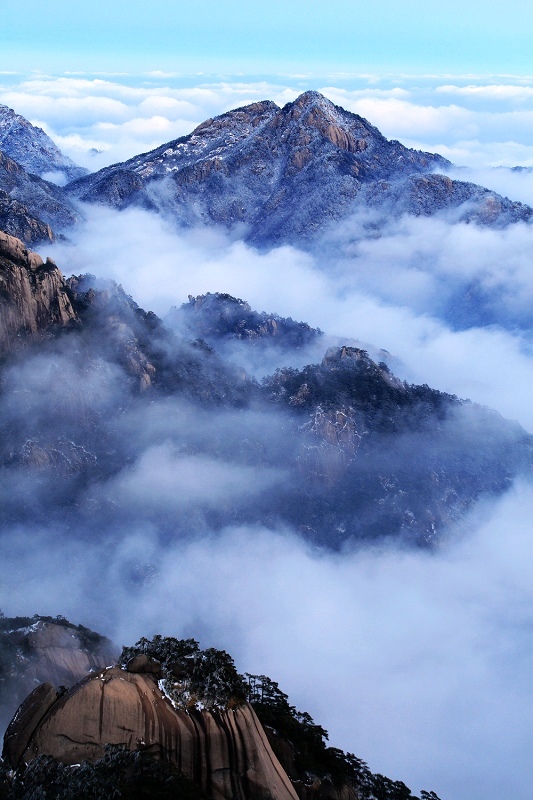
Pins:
x,y
234,737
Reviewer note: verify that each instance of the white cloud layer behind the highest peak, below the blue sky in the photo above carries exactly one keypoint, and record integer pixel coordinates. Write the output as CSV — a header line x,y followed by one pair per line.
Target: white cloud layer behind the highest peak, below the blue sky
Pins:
x,y
476,122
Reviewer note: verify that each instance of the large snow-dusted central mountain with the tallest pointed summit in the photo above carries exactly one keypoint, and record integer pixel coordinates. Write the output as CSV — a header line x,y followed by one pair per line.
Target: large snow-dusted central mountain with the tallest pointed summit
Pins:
x,y
282,175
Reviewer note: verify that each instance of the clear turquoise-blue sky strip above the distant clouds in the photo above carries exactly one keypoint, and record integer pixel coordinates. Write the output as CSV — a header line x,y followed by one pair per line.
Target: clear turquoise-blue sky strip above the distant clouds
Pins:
x,y
269,37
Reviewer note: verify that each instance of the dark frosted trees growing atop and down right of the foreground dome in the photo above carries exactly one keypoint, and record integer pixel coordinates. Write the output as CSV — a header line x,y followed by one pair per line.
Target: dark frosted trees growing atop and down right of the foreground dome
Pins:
x,y
193,677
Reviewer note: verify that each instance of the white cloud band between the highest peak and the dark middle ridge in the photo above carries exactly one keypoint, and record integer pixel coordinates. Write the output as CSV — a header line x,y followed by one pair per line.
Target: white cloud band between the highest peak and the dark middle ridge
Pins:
x,y
399,292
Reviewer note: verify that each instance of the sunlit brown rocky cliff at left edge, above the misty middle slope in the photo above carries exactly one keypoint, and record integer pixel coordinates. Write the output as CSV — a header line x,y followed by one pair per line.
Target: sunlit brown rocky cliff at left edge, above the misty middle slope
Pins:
x,y
33,295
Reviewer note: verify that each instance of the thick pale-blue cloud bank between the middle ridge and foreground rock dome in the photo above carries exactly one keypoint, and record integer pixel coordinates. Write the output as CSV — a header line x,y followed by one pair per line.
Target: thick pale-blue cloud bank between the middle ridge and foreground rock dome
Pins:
x,y
417,662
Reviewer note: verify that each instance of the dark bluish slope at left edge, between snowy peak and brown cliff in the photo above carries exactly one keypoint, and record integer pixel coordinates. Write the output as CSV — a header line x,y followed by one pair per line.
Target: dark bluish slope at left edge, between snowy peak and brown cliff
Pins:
x,y
41,199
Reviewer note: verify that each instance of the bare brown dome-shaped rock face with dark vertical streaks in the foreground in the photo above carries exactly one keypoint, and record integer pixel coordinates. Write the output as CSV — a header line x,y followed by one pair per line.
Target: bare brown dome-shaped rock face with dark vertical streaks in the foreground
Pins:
x,y
226,752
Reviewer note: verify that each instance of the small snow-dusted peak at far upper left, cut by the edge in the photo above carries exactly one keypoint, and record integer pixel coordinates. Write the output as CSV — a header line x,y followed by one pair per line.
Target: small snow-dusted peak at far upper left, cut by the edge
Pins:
x,y
32,148
